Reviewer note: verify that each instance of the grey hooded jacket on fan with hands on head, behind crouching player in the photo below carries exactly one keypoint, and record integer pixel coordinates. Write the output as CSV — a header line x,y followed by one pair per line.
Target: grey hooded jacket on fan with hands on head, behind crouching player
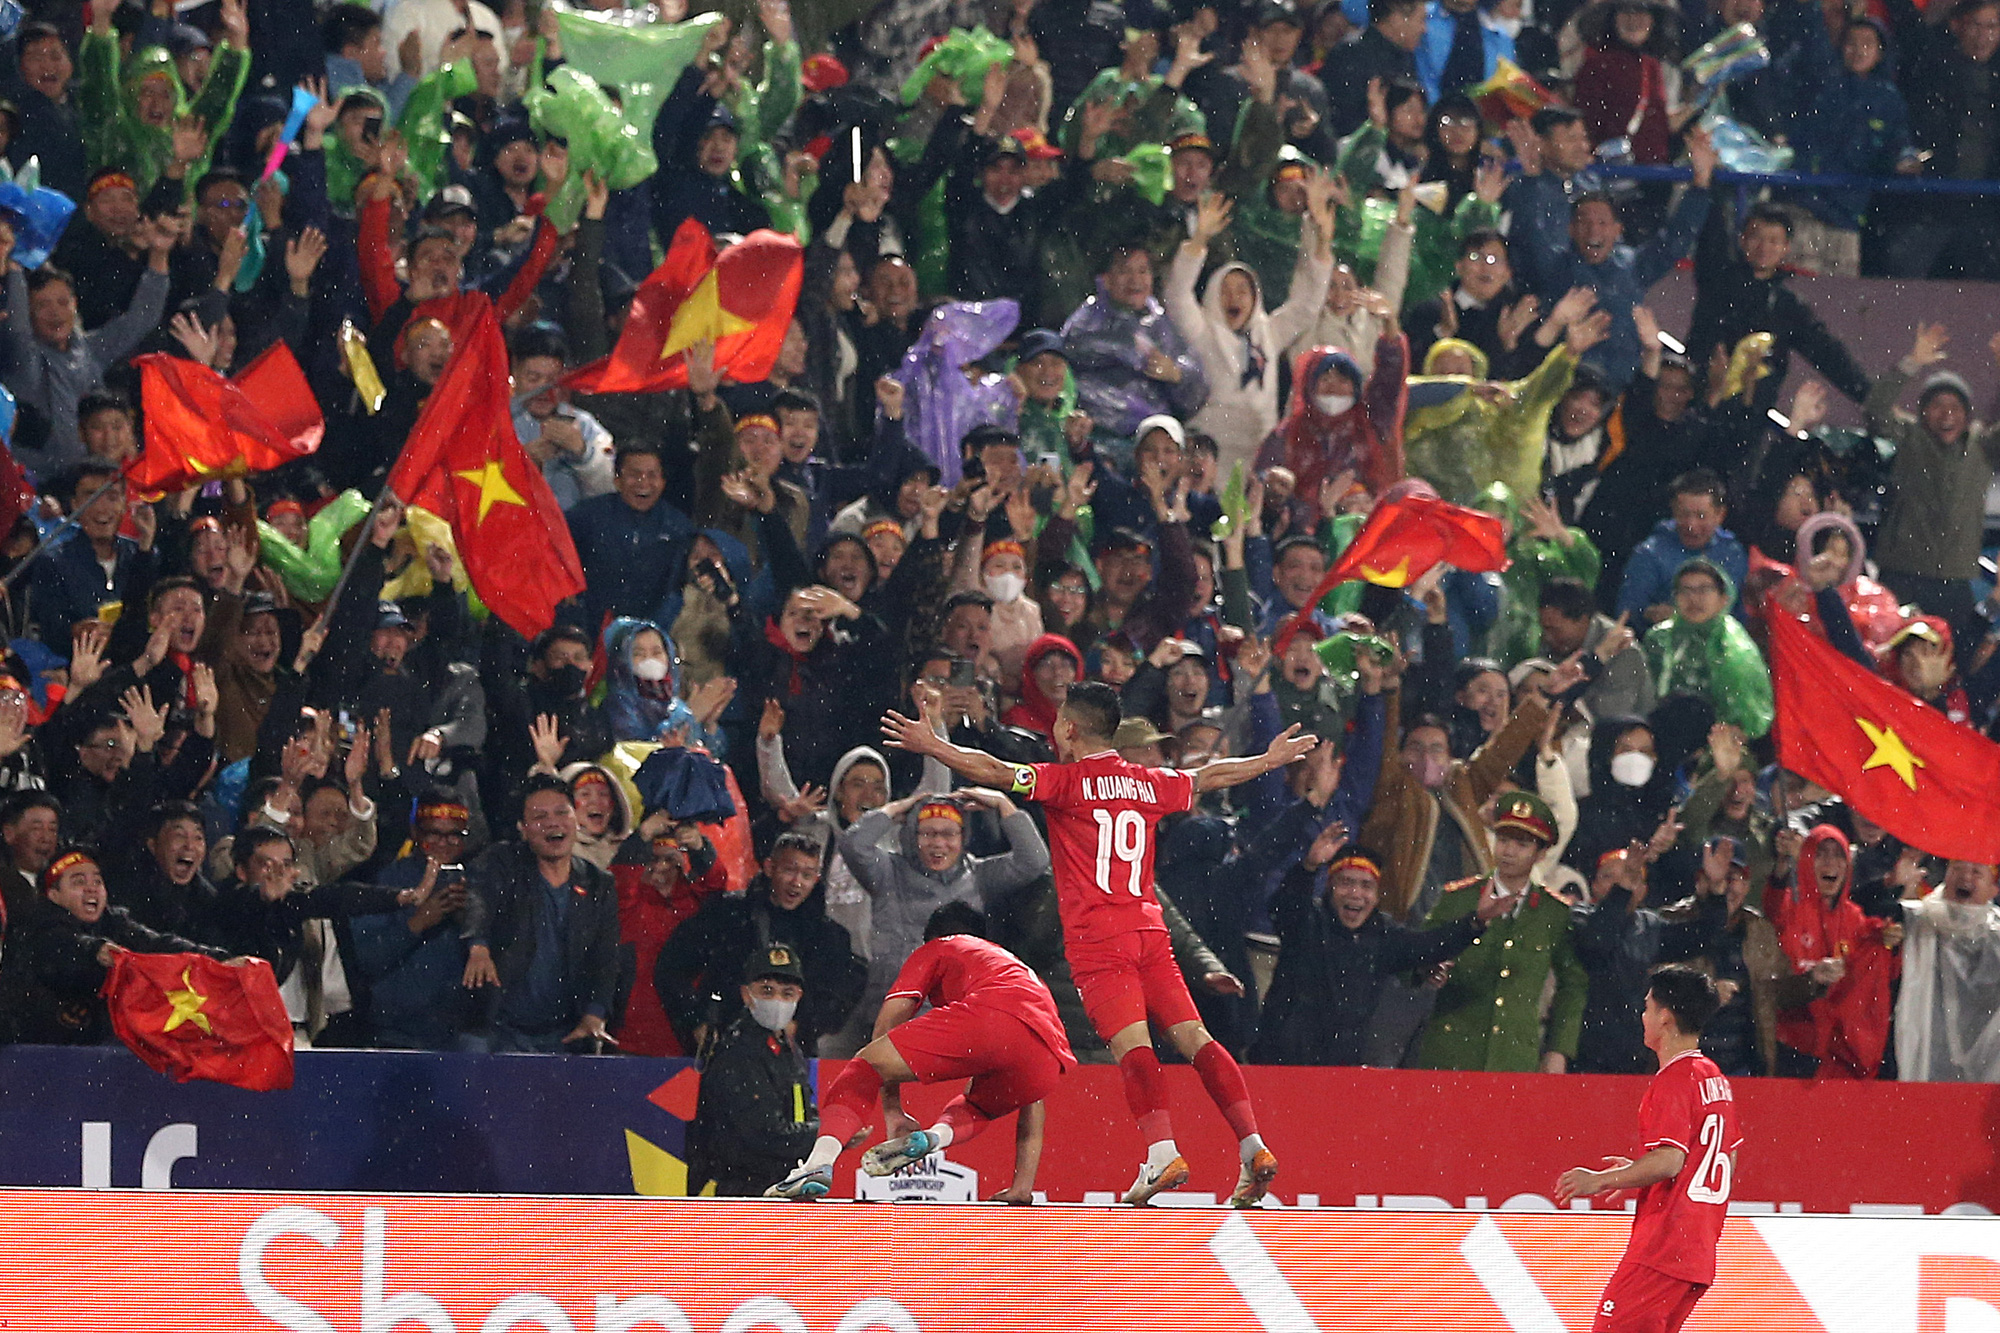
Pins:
x,y
905,894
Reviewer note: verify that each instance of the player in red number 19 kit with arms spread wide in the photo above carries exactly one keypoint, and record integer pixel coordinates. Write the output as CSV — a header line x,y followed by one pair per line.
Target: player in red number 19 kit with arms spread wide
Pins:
x,y
1103,814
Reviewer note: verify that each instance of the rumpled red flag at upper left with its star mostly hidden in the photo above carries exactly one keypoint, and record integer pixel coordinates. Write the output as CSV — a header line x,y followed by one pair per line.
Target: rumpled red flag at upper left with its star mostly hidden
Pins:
x,y
201,425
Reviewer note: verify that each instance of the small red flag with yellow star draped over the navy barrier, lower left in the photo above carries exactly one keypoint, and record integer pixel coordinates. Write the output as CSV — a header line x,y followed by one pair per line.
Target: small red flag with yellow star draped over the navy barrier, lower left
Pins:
x,y
195,1018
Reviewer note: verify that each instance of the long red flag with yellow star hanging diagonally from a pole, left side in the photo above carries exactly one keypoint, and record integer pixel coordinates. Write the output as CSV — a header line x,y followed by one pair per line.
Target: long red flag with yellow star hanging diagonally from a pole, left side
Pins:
x,y
465,463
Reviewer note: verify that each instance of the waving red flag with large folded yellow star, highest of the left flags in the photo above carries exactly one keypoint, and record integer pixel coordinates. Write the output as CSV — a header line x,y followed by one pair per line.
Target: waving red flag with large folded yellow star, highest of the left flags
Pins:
x,y
741,301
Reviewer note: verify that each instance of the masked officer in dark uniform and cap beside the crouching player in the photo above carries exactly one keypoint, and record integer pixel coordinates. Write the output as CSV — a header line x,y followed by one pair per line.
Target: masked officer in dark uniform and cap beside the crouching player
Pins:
x,y
755,1116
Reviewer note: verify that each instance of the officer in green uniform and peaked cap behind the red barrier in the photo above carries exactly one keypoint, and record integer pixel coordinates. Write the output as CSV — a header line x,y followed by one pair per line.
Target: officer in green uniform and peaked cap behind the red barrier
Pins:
x,y
1489,1014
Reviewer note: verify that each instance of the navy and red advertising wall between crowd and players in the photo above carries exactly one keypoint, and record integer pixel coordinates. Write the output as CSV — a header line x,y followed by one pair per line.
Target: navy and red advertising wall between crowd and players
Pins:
x,y
1347,1138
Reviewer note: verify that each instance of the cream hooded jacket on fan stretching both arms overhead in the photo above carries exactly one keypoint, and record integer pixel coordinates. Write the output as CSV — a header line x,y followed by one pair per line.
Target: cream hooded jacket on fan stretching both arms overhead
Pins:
x,y
1243,367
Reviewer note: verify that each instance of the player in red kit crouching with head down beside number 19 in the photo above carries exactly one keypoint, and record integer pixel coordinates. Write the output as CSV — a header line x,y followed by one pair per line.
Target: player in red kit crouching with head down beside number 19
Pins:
x,y
991,1022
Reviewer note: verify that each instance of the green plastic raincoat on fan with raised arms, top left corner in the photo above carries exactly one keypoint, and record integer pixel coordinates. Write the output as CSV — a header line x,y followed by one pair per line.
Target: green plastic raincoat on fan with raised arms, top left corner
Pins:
x,y
109,95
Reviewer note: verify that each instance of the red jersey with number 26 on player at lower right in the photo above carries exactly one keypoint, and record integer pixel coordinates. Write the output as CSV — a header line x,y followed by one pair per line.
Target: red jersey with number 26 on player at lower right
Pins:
x,y
1679,1222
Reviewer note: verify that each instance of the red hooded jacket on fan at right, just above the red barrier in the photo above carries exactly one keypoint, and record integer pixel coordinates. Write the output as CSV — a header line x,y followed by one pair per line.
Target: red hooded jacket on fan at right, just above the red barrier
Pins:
x,y
1847,1028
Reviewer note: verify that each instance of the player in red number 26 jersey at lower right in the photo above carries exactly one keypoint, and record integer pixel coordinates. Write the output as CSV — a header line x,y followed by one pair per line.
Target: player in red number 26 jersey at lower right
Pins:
x,y
1689,1140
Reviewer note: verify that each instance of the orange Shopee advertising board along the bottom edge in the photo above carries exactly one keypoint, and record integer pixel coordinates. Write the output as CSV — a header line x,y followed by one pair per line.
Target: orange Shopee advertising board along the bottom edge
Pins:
x,y
359,1264
